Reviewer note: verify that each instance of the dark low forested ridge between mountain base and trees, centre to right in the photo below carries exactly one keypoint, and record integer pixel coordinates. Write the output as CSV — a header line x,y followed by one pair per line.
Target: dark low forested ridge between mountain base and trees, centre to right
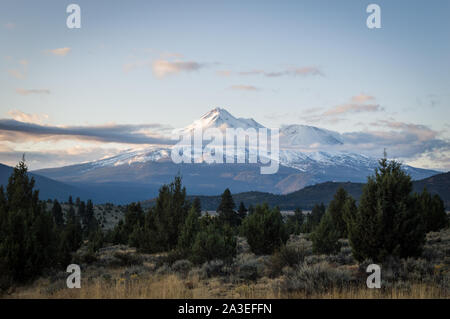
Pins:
x,y
307,197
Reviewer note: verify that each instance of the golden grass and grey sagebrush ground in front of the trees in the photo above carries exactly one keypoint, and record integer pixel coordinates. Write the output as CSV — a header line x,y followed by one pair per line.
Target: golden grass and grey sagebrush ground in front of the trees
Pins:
x,y
152,276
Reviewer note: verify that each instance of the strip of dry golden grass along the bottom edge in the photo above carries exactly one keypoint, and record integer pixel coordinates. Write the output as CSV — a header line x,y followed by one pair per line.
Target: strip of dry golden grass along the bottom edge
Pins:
x,y
171,286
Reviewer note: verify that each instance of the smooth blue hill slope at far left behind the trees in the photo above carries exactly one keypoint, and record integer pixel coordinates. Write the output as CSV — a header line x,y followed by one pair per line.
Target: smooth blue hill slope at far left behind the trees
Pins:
x,y
48,188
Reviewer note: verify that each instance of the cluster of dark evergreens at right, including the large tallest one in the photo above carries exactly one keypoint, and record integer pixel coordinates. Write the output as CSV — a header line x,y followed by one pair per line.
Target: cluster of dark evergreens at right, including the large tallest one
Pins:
x,y
390,220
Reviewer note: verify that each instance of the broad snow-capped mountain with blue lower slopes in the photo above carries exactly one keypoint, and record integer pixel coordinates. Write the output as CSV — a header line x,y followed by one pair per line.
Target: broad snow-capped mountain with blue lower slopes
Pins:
x,y
302,163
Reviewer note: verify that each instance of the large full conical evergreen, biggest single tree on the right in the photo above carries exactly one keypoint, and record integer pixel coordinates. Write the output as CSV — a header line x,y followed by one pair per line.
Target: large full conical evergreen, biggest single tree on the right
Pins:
x,y
388,221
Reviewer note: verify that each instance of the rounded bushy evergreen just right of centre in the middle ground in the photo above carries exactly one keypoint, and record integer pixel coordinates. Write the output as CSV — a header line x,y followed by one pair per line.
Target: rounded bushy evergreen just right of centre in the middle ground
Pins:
x,y
264,230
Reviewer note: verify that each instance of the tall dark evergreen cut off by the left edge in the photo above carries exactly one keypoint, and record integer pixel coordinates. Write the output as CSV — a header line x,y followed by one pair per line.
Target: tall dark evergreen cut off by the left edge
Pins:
x,y
28,237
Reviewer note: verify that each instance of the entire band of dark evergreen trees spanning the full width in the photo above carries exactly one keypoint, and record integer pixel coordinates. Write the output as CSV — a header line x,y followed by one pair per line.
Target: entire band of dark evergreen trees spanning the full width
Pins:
x,y
389,220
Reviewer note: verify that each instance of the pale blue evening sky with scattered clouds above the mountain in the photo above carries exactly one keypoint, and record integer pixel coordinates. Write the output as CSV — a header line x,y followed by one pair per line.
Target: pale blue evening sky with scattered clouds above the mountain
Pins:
x,y
137,69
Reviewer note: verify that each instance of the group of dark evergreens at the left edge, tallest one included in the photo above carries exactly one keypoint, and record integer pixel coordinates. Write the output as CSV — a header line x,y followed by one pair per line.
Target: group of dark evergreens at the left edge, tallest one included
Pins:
x,y
33,239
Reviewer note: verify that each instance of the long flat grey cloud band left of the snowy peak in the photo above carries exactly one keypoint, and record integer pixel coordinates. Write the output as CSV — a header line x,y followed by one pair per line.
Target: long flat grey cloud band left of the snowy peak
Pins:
x,y
13,130
